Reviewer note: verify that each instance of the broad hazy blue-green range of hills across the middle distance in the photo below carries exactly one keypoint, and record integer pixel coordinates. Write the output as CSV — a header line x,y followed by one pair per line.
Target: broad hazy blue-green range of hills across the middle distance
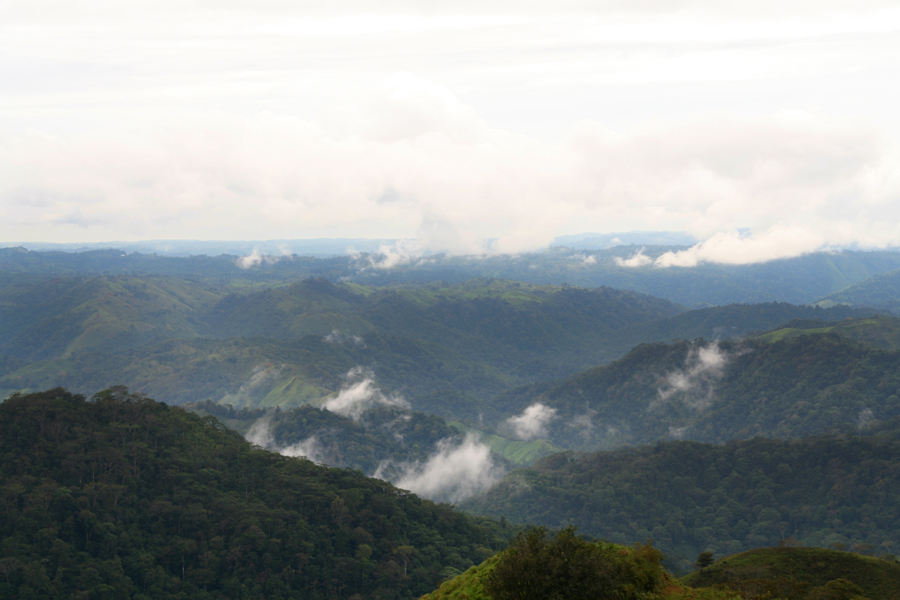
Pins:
x,y
188,341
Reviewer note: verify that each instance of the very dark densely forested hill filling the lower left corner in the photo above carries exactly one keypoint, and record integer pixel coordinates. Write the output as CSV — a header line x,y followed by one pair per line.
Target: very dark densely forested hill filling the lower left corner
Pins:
x,y
126,496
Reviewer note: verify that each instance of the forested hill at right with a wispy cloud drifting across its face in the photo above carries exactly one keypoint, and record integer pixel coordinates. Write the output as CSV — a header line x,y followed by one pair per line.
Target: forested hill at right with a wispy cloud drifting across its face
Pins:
x,y
715,392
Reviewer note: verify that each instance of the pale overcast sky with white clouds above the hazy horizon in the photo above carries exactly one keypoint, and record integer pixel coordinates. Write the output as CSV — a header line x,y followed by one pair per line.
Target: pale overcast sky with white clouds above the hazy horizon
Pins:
x,y
767,129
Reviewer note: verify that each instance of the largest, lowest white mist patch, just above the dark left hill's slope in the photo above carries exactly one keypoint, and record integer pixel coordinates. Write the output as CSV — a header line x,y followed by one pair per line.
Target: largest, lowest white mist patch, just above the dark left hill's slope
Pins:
x,y
453,473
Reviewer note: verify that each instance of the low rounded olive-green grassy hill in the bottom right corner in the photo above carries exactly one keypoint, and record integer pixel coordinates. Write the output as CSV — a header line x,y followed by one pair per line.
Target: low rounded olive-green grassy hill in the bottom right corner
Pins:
x,y
796,572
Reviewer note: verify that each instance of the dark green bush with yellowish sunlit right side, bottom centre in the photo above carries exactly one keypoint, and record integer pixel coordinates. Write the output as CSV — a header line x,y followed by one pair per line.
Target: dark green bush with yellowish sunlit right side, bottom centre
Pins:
x,y
538,566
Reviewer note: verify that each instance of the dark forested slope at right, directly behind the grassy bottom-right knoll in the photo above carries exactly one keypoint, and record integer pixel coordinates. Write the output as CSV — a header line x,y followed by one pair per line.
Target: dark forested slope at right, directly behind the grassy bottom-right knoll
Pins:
x,y
689,497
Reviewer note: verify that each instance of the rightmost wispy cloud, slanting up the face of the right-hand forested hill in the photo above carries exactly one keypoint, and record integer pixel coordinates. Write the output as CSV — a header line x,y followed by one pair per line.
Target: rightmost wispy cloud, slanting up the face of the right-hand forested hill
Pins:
x,y
694,384
